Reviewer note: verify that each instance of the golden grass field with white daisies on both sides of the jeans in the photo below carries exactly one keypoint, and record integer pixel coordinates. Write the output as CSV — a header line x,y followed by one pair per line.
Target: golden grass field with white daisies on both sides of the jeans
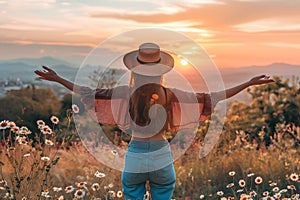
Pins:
x,y
46,170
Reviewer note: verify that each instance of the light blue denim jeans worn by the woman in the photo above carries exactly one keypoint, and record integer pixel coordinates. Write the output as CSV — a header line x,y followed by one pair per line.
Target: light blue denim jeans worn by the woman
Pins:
x,y
148,161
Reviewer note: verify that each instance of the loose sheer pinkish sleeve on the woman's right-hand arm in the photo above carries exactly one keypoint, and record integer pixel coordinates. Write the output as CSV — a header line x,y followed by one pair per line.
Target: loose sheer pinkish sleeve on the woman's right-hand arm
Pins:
x,y
187,109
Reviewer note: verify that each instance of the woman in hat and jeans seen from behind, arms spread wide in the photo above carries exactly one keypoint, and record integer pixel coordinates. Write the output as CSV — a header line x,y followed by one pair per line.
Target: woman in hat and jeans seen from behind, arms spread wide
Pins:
x,y
150,110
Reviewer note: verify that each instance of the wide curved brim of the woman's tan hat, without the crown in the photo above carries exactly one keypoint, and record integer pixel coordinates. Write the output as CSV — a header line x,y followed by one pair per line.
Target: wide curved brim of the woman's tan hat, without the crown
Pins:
x,y
165,64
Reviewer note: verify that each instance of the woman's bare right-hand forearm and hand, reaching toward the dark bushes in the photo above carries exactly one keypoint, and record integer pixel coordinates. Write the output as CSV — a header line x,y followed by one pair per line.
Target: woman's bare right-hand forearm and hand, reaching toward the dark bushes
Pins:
x,y
258,80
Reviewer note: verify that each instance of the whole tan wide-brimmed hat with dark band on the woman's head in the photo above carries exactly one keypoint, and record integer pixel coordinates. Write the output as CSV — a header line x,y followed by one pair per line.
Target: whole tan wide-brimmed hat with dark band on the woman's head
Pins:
x,y
149,60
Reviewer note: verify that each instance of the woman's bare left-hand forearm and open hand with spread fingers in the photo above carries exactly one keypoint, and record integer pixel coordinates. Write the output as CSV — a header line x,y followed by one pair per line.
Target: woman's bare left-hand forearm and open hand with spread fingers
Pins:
x,y
50,75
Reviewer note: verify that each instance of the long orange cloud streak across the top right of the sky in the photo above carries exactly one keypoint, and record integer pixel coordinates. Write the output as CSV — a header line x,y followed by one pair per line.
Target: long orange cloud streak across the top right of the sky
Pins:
x,y
216,16
